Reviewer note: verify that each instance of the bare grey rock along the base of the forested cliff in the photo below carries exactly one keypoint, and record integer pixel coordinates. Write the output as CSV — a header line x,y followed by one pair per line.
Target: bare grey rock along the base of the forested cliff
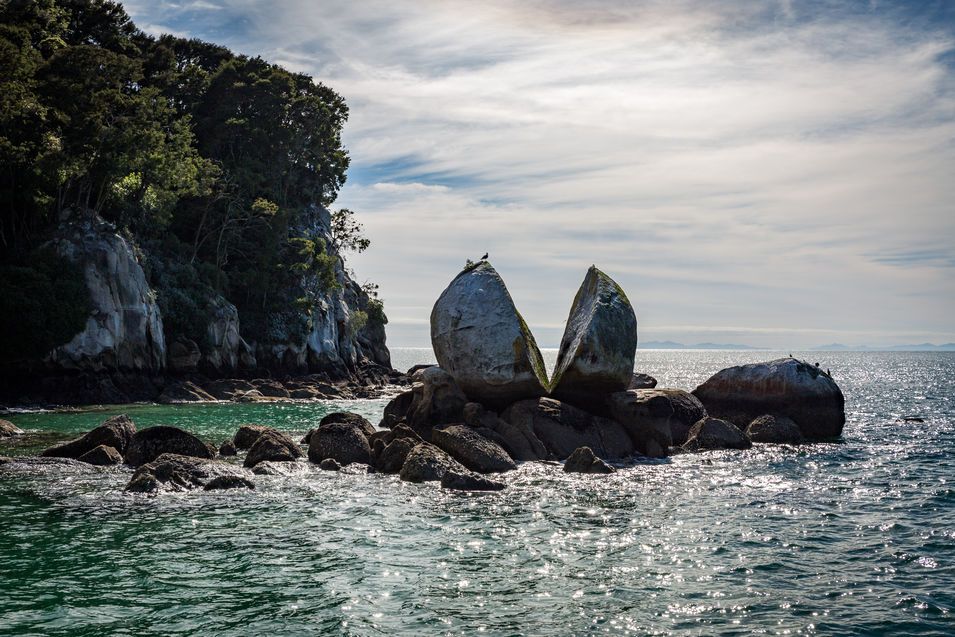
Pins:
x,y
124,332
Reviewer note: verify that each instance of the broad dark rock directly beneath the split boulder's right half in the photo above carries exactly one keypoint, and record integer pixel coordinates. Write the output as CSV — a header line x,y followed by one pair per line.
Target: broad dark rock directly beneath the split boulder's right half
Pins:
x,y
562,428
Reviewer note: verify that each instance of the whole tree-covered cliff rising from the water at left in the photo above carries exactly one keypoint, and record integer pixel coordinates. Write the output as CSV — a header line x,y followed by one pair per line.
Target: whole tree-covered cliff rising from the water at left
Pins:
x,y
164,206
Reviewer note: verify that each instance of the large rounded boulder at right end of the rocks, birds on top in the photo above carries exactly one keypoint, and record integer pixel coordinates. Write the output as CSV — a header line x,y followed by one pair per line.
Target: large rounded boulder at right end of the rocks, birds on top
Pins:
x,y
783,387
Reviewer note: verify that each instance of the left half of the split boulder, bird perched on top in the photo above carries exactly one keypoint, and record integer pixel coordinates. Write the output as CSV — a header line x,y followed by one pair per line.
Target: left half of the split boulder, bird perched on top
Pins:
x,y
481,339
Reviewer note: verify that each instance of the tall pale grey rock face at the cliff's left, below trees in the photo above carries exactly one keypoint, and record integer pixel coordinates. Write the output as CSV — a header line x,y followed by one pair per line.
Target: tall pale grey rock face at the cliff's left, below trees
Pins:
x,y
124,329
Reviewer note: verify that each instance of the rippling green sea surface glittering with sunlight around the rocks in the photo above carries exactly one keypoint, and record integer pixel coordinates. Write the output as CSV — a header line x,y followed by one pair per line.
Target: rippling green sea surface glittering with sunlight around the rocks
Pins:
x,y
849,538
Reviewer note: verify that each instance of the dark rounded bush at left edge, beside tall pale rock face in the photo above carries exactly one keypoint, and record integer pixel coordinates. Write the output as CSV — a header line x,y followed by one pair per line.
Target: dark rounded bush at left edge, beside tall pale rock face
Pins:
x,y
42,305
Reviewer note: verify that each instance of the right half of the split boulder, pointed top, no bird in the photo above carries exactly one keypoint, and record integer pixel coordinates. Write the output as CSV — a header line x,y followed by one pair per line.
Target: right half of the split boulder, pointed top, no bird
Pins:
x,y
599,343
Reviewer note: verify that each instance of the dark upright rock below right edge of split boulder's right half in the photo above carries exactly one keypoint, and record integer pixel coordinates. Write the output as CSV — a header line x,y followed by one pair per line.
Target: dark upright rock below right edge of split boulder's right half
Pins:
x,y
646,418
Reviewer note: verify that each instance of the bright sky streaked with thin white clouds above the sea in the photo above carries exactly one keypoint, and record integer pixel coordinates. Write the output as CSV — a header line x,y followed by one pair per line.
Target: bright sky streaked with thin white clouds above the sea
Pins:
x,y
777,174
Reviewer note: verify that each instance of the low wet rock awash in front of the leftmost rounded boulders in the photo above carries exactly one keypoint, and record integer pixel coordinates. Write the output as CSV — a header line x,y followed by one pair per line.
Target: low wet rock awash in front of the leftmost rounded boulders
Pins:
x,y
173,472
